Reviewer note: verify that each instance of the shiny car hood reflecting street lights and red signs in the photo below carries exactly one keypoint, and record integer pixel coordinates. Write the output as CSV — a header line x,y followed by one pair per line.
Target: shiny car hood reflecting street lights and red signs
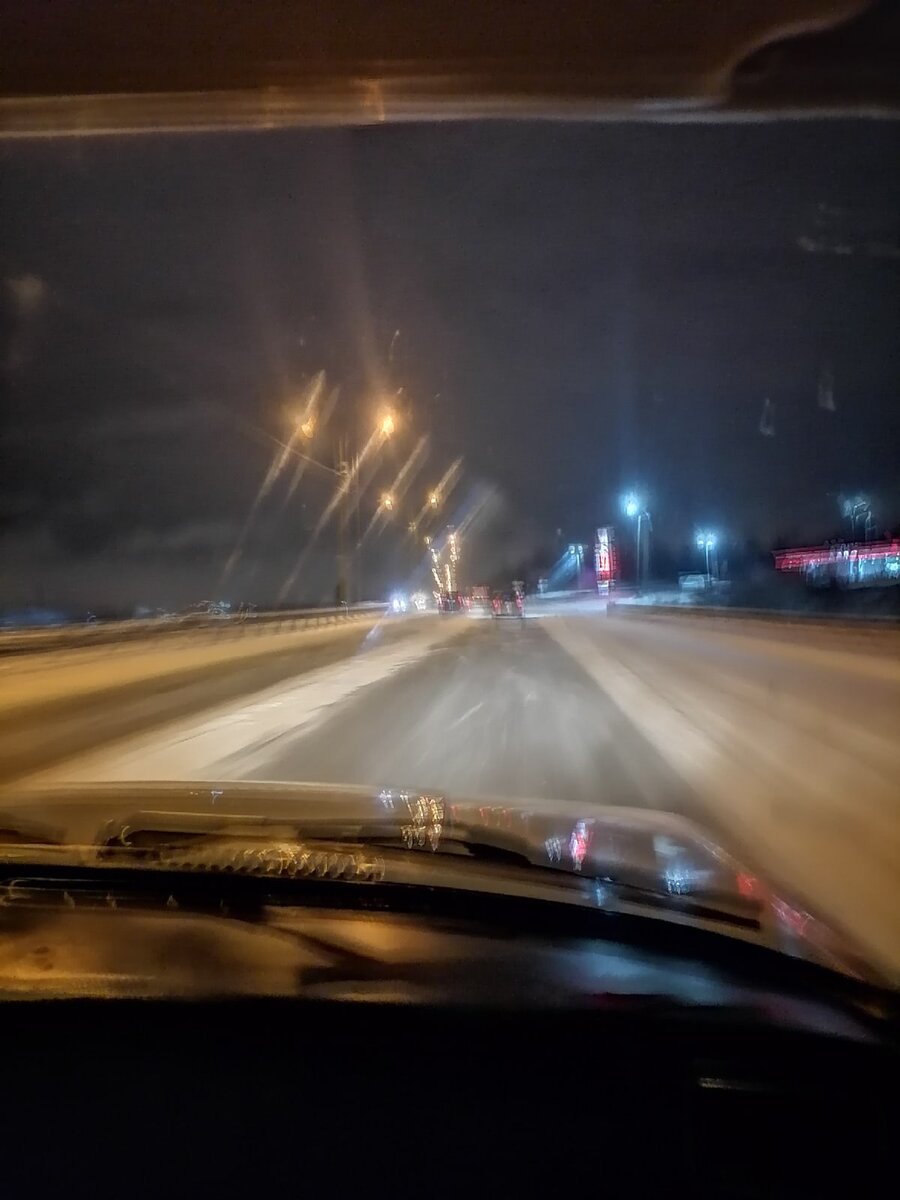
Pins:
x,y
658,854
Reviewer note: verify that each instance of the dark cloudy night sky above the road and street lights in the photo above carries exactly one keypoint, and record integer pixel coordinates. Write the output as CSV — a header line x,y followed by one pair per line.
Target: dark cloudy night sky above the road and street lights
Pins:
x,y
581,310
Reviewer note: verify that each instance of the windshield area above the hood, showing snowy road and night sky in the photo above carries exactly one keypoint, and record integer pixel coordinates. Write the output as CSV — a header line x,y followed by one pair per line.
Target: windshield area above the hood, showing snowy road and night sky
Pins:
x,y
285,409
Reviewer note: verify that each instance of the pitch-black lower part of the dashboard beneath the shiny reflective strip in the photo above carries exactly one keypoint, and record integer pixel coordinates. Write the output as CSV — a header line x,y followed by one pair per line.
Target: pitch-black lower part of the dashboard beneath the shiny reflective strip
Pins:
x,y
242,1095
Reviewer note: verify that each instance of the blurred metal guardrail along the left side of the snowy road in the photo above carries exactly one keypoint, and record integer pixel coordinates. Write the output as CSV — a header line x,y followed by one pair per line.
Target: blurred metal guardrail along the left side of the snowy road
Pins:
x,y
58,638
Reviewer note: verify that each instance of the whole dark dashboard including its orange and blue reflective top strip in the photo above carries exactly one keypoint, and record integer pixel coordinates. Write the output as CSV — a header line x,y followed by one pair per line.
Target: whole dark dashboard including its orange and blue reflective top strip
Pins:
x,y
435,1041
